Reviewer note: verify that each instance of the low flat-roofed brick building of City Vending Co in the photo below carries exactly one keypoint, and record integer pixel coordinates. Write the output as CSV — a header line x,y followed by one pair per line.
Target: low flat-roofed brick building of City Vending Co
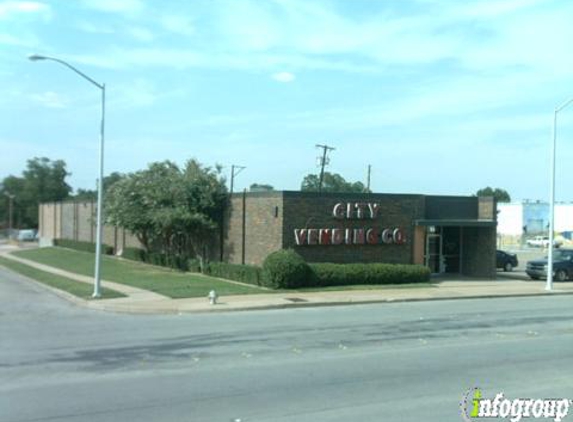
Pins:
x,y
449,234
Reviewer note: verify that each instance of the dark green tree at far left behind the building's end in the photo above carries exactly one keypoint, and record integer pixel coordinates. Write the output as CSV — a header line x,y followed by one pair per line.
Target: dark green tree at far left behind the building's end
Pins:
x,y
43,180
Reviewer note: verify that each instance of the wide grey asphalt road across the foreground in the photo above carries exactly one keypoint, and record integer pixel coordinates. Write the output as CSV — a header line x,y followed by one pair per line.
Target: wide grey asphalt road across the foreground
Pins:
x,y
389,362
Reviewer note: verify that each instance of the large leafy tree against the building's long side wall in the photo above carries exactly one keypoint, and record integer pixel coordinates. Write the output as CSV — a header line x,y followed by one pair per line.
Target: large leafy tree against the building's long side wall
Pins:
x,y
171,210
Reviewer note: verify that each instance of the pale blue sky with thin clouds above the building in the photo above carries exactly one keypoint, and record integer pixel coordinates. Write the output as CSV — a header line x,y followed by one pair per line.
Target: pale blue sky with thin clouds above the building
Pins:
x,y
439,97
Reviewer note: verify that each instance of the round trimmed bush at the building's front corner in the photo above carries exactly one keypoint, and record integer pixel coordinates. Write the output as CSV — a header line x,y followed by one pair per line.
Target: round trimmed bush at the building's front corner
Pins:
x,y
285,269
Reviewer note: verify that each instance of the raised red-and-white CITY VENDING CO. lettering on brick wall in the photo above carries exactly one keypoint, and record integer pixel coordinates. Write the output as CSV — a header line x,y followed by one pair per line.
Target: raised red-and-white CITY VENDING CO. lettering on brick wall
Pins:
x,y
351,236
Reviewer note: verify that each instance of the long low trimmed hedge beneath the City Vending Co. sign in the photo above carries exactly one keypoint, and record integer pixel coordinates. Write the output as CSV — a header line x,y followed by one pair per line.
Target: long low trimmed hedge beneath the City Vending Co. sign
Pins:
x,y
326,274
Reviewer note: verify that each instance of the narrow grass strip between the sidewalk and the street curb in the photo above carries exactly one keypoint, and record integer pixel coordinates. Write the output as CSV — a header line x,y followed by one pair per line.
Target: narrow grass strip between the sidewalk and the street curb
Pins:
x,y
77,288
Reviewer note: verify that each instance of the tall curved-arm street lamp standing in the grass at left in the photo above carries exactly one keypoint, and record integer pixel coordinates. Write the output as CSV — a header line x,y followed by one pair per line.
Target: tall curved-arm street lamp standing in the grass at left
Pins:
x,y
97,277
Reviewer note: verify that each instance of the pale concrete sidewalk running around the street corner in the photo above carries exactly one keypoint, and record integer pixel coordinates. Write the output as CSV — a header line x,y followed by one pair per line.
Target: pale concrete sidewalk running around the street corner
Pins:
x,y
142,301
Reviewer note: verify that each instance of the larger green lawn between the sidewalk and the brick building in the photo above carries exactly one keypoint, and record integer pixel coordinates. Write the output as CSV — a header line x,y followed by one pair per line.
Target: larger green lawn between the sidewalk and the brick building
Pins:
x,y
164,281
